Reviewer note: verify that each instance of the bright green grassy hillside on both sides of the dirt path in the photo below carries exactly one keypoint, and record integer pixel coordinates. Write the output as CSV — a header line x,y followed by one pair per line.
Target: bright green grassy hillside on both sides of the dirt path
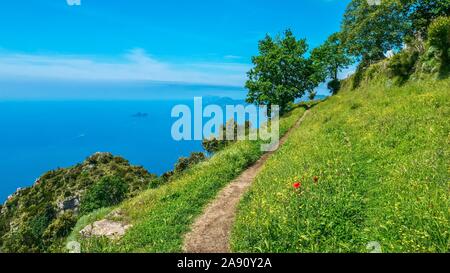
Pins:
x,y
372,164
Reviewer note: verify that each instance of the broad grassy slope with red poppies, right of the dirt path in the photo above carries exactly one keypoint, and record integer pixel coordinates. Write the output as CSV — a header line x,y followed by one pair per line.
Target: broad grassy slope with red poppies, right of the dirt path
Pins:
x,y
382,157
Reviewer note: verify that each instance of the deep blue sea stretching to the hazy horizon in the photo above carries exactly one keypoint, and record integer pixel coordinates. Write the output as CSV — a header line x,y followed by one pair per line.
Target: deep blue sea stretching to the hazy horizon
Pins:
x,y
41,129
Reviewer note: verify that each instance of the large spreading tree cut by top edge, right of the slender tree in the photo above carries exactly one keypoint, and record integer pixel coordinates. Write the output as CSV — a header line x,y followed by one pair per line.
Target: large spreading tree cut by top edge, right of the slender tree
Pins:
x,y
369,30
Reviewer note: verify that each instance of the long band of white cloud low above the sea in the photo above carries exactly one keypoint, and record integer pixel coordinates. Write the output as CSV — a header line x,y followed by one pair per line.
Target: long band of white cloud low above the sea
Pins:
x,y
136,65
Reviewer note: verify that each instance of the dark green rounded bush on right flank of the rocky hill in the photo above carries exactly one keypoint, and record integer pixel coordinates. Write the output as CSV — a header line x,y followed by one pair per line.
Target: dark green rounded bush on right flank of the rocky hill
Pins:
x,y
109,191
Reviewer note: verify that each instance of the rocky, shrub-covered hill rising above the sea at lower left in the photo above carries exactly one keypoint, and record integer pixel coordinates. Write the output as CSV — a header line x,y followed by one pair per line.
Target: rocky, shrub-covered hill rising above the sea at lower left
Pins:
x,y
38,218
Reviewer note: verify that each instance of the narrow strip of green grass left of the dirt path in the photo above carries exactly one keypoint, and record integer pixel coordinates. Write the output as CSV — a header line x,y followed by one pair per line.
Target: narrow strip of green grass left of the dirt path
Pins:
x,y
161,217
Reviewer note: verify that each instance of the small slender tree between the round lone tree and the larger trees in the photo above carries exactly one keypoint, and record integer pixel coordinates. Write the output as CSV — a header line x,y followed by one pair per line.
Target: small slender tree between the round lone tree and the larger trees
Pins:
x,y
329,59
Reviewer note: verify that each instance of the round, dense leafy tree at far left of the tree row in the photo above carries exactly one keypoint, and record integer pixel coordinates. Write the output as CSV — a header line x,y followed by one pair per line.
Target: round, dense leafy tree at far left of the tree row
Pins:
x,y
281,73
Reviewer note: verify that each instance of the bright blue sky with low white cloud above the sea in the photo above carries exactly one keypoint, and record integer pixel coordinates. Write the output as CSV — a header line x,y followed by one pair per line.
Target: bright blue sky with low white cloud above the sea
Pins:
x,y
196,41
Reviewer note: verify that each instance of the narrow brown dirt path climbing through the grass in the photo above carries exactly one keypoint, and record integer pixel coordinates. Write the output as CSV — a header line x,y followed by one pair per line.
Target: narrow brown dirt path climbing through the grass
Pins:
x,y
211,231
